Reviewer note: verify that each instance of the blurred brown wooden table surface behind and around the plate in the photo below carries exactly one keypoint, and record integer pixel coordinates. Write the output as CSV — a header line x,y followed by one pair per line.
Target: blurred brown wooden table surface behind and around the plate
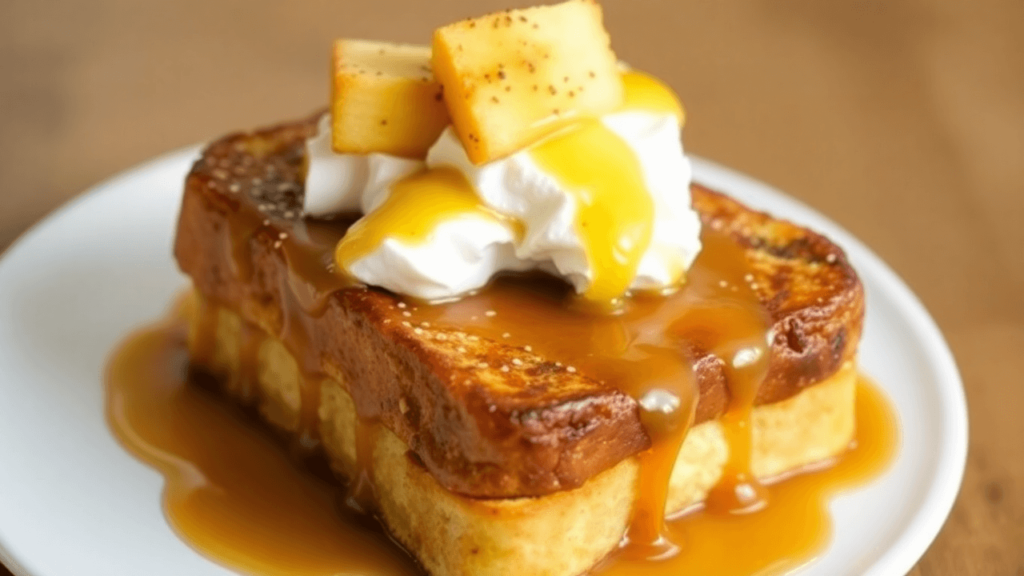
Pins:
x,y
903,120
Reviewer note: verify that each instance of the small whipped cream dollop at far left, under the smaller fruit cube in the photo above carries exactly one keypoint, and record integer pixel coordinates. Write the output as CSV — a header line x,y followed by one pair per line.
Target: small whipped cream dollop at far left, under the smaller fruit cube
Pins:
x,y
346,183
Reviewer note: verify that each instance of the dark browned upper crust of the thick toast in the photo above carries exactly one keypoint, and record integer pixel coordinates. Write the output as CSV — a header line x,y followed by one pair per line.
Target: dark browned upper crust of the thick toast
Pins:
x,y
481,431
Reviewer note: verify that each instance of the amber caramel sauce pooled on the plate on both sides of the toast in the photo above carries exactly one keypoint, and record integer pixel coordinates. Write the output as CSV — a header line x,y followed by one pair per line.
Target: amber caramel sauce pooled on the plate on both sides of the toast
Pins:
x,y
234,493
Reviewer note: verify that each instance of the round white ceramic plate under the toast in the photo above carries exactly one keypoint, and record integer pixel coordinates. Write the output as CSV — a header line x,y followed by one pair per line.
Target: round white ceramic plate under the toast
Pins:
x,y
73,503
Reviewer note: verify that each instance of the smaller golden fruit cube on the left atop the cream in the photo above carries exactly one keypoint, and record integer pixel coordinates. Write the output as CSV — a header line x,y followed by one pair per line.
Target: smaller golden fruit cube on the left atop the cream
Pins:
x,y
386,100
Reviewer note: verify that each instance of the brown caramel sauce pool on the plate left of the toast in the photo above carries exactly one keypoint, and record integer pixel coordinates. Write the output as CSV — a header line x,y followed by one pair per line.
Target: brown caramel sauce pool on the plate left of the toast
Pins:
x,y
232,490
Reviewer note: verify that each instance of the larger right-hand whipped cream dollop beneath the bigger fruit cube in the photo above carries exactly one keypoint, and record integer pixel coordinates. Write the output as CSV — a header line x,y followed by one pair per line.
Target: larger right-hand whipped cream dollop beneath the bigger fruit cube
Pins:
x,y
518,187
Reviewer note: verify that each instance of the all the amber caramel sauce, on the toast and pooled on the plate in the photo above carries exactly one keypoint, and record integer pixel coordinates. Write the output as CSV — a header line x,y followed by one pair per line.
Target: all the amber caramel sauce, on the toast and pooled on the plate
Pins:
x,y
237,493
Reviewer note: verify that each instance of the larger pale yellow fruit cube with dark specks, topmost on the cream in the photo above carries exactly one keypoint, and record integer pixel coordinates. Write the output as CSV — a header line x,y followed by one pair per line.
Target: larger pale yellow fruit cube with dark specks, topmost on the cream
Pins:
x,y
514,77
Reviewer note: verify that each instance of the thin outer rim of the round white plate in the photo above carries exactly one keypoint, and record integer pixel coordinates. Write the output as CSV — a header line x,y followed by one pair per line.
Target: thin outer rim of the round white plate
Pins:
x,y
945,487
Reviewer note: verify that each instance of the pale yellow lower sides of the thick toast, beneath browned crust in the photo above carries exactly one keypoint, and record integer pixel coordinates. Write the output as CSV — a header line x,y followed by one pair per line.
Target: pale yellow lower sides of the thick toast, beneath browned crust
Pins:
x,y
562,534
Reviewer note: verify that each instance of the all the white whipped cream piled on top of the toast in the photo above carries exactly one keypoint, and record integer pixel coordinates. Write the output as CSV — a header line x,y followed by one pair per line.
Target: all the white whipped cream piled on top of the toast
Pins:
x,y
528,222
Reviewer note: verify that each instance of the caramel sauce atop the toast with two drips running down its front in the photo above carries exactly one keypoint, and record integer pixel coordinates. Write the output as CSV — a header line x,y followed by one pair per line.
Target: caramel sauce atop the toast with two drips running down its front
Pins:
x,y
647,350
